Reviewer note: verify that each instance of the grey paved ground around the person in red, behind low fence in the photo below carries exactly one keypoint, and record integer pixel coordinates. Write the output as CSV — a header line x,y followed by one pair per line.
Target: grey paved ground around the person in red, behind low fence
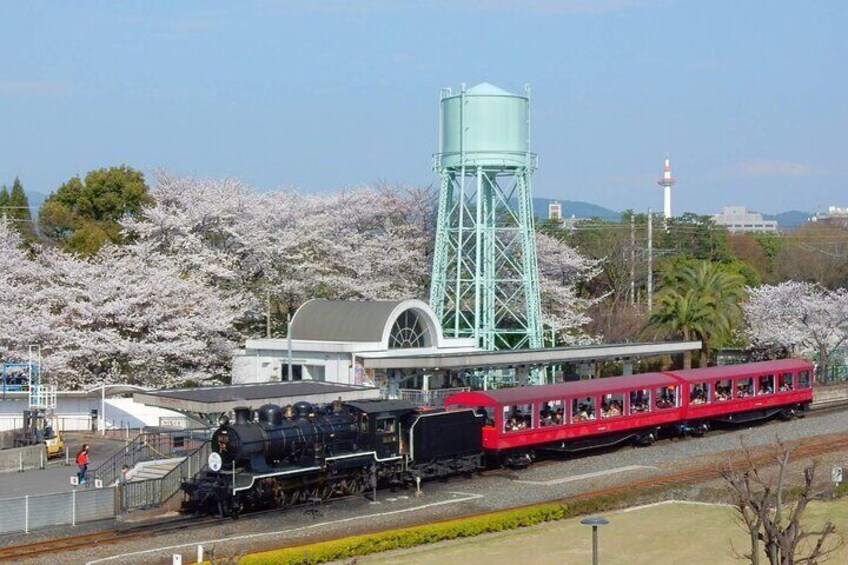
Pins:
x,y
56,477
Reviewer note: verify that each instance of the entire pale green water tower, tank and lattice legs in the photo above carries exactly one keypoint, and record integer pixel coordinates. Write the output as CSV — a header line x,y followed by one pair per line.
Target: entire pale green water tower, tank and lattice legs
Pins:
x,y
485,278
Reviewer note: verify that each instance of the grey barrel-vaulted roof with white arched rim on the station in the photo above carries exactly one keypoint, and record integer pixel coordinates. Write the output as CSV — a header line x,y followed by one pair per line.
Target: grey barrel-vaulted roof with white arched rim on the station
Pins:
x,y
357,321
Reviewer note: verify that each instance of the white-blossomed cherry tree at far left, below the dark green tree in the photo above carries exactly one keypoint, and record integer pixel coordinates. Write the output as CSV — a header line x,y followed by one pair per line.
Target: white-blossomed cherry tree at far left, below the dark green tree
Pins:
x,y
129,314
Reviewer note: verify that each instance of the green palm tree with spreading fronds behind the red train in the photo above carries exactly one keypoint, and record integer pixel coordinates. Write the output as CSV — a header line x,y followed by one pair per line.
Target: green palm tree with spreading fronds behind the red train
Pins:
x,y
699,302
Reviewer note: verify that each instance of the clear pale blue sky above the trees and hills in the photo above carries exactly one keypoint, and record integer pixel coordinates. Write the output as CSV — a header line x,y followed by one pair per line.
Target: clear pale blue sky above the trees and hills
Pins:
x,y
748,98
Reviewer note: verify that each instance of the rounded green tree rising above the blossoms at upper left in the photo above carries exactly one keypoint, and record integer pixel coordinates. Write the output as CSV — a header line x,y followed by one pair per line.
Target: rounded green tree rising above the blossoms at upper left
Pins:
x,y
84,215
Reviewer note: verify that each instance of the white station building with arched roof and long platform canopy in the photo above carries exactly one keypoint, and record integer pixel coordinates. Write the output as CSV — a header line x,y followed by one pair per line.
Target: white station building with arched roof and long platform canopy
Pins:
x,y
400,348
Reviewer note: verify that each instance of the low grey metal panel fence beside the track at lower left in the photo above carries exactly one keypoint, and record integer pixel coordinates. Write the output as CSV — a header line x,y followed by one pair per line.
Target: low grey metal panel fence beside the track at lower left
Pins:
x,y
28,513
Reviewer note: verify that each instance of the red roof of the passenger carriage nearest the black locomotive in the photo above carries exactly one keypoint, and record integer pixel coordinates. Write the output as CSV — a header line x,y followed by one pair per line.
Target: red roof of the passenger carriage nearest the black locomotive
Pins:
x,y
527,394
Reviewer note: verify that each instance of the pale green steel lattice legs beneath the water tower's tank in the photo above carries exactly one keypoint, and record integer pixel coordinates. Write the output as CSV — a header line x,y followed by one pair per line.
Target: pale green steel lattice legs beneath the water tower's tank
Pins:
x,y
485,277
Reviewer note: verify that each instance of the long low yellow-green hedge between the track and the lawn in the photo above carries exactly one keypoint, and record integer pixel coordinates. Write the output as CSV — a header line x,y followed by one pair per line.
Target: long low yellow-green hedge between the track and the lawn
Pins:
x,y
405,538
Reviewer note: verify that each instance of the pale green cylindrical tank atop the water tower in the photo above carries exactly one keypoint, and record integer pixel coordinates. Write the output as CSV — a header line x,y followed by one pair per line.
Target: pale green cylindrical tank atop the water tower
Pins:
x,y
484,126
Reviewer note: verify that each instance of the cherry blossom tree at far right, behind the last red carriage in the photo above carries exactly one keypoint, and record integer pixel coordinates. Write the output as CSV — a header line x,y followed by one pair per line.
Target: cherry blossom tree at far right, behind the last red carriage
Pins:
x,y
801,317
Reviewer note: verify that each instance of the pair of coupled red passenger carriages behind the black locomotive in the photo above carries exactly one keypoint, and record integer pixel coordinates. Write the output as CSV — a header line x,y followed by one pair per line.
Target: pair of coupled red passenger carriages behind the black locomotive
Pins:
x,y
580,415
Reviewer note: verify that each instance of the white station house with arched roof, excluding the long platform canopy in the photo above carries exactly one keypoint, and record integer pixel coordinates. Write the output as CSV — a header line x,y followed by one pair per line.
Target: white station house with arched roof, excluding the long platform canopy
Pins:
x,y
329,338
